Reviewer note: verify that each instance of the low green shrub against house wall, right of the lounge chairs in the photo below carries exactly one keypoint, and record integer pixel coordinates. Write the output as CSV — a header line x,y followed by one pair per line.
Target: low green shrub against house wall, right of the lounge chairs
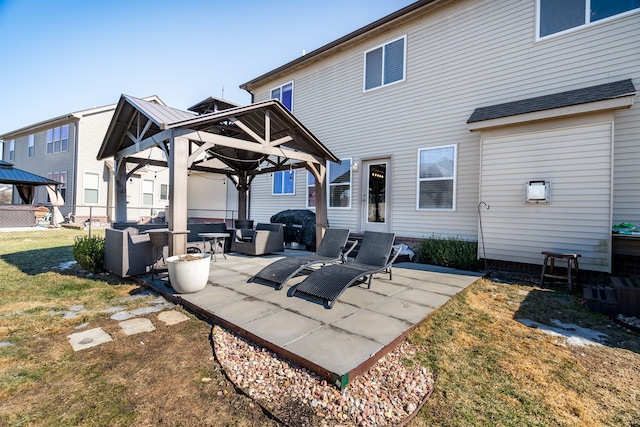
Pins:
x,y
451,252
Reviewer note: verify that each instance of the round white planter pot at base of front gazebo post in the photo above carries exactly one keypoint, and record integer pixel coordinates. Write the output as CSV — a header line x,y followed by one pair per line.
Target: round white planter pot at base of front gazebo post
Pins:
x,y
189,276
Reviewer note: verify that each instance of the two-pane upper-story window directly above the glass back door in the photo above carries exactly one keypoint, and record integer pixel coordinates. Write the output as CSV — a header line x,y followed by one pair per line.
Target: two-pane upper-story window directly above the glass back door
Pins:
x,y
385,64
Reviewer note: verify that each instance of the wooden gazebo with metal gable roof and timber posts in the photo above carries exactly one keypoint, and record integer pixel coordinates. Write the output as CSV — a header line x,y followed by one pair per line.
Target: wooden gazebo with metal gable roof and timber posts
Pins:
x,y
239,142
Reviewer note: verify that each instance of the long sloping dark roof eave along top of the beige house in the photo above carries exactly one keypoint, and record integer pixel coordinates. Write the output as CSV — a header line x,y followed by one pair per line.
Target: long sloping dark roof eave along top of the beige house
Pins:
x,y
352,37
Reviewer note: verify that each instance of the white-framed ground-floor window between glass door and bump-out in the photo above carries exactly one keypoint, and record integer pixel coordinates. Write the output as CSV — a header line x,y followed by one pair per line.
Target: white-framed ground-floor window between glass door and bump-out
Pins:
x,y
437,171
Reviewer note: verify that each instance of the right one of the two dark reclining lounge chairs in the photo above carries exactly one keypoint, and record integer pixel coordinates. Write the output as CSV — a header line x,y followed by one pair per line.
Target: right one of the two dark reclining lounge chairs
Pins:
x,y
376,254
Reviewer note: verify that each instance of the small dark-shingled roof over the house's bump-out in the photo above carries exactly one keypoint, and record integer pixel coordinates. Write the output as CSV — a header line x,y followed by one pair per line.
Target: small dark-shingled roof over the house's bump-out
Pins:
x,y
569,98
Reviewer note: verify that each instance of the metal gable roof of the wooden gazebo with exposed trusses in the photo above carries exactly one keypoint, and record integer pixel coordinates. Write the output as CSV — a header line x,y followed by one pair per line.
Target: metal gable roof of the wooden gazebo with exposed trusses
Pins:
x,y
242,139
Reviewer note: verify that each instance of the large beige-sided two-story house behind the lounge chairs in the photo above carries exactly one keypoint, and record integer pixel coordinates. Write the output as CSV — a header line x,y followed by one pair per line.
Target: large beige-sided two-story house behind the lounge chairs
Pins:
x,y
524,105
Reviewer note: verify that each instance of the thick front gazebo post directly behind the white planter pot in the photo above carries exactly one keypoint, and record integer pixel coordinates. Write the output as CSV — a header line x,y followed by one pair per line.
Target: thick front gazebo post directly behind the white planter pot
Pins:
x,y
178,171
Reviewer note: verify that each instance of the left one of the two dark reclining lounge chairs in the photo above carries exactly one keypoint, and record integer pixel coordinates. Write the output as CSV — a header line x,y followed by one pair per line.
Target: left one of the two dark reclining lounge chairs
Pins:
x,y
331,249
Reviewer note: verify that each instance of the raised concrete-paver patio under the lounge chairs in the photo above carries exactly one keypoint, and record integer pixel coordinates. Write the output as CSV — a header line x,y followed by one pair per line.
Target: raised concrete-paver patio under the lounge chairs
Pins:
x,y
338,343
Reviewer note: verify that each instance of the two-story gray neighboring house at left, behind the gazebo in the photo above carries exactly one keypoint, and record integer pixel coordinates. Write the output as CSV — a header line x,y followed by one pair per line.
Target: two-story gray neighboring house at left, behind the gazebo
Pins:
x,y
64,149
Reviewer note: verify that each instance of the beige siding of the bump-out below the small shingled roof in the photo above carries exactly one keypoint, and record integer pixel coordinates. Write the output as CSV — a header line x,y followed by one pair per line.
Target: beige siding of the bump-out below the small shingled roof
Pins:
x,y
577,161
